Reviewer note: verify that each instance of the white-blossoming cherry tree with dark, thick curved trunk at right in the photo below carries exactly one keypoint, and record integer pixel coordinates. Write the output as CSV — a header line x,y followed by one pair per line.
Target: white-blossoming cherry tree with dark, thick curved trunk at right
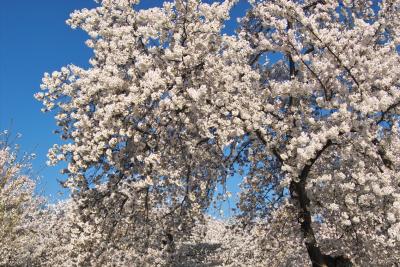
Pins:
x,y
330,135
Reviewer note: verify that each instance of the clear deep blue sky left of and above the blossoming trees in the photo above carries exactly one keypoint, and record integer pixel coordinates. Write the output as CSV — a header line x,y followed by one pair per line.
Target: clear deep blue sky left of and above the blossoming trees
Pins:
x,y
35,39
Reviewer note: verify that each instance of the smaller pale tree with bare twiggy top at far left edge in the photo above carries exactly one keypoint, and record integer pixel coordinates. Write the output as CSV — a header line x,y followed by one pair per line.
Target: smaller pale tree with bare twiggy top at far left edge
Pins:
x,y
18,205
